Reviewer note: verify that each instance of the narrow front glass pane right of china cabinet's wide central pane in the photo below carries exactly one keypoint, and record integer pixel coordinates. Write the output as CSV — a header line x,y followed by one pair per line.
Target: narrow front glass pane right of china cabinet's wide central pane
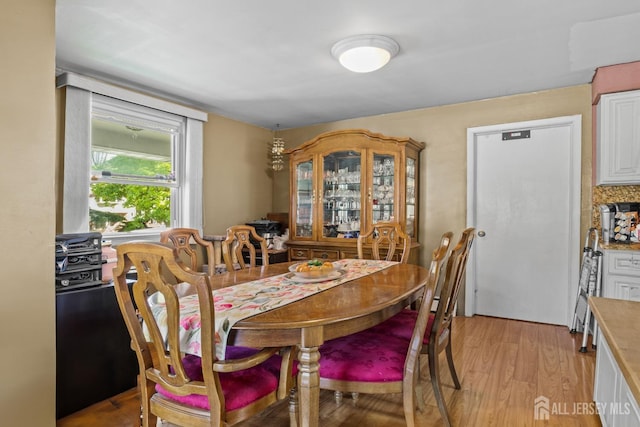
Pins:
x,y
383,188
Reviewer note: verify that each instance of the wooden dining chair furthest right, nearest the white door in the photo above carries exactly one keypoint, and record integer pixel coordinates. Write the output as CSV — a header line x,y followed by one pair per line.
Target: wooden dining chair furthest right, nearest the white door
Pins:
x,y
439,327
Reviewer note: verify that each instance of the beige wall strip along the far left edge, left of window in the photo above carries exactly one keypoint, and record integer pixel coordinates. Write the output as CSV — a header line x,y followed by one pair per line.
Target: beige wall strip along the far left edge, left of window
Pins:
x,y
27,167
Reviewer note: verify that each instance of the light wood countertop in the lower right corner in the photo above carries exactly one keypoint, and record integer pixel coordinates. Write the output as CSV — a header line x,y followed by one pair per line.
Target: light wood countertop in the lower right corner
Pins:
x,y
619,320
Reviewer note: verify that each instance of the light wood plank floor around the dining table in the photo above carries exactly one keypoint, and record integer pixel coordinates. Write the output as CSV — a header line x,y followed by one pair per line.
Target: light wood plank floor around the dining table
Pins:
x,y
503,365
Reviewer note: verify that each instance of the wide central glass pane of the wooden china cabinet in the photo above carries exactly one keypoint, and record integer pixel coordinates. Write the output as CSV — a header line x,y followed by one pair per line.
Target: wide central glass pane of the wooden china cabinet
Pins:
x,y
341,189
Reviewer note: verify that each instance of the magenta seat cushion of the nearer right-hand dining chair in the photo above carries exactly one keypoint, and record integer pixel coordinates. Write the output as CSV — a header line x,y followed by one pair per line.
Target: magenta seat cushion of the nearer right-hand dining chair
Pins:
x,y
365,357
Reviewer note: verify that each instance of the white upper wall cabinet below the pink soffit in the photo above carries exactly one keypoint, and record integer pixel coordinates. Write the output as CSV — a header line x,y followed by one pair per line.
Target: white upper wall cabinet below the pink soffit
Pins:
x,y
618,146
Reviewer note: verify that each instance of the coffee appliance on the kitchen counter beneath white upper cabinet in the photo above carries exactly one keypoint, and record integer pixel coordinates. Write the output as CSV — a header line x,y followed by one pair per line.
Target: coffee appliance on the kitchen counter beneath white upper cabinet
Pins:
x,y
619,222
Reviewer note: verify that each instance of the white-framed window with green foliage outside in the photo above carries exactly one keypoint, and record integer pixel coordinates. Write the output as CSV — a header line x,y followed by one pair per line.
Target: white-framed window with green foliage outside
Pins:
x,y
133,164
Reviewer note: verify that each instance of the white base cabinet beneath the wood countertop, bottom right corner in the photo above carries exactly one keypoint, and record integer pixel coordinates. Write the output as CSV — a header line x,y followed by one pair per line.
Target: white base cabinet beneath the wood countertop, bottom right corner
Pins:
x,y
615,403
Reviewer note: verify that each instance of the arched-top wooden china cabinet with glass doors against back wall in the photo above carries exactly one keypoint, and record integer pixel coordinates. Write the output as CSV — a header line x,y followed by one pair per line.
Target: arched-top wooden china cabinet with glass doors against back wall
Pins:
x,y
344,181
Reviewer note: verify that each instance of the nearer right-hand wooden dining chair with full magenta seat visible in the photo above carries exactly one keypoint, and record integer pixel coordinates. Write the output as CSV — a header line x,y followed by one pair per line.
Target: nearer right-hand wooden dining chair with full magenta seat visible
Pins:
x,y
369,362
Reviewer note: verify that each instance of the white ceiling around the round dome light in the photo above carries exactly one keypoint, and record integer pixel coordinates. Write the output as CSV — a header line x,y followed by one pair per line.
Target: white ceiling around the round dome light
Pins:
x,y
269,62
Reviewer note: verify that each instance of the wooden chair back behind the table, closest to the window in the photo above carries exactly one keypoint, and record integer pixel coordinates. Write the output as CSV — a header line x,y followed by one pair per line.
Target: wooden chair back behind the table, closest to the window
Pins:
x,y
191,248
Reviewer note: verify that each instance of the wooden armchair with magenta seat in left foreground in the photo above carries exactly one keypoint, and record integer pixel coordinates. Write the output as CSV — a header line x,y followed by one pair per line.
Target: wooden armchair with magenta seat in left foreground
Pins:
x,y
185,389
